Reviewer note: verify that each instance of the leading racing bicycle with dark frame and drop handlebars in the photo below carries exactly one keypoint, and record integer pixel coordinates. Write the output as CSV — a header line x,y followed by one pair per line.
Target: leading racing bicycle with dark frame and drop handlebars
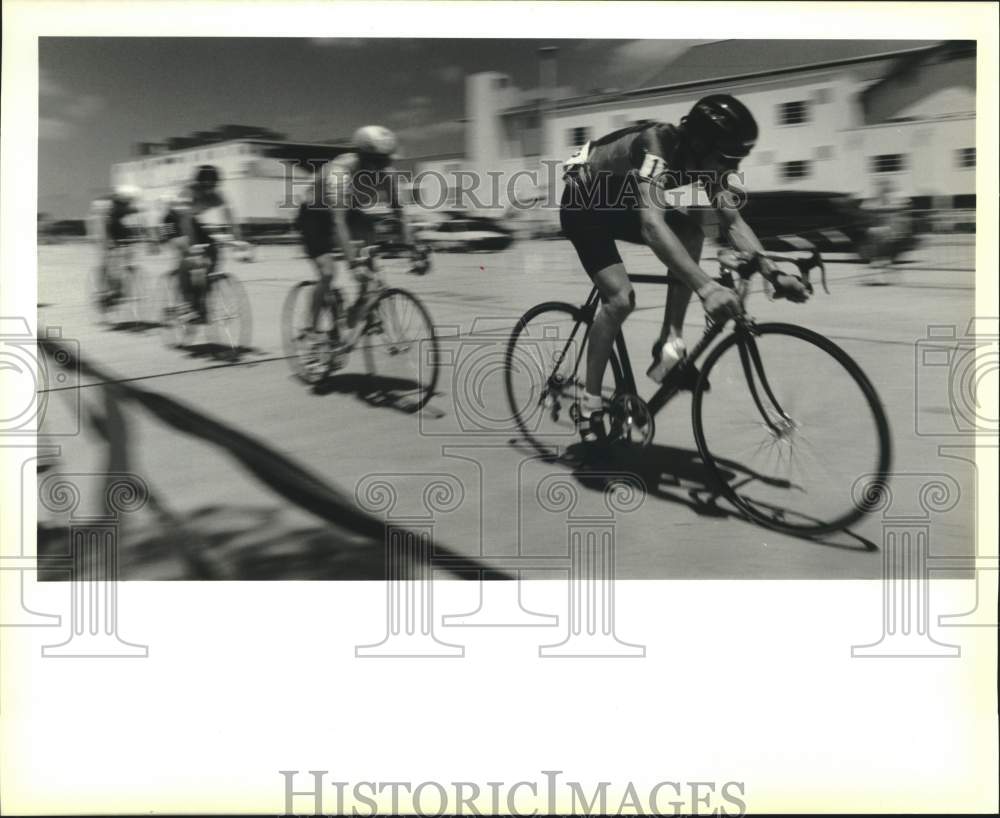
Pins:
x,y
789,427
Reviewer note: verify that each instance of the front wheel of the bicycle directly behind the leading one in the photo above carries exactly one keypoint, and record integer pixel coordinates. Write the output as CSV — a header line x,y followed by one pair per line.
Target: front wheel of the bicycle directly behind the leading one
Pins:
x,y
401,351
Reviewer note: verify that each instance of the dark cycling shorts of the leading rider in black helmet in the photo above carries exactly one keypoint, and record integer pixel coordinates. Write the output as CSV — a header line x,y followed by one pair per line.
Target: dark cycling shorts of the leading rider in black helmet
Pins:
x,y
593,229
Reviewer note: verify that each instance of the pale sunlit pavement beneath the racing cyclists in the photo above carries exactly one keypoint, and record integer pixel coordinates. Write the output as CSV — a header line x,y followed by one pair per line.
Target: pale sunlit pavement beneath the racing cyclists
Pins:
x,y
480,488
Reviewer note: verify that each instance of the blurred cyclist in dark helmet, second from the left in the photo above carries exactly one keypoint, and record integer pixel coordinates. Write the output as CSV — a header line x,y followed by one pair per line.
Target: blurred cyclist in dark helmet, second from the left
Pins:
x,y
185,231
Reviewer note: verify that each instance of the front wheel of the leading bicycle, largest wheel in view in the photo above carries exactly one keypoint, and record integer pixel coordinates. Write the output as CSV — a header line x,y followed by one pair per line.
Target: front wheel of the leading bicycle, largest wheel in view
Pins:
x,y
791,429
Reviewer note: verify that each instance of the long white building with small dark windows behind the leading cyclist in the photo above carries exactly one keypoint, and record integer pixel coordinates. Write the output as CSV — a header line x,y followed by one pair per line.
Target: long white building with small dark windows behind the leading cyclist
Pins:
x,y
833,115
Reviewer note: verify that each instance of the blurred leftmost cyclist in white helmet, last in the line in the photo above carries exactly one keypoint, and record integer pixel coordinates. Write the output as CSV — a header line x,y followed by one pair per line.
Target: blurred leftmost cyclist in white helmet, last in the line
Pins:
x,y
116,222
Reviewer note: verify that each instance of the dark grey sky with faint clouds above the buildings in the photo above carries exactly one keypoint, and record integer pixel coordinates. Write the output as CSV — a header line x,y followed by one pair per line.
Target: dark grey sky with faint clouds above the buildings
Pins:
x,y
99,96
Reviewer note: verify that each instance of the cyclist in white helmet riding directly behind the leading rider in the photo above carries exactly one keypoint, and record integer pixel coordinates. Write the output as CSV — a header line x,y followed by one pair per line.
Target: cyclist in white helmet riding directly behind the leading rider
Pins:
x,y
335,218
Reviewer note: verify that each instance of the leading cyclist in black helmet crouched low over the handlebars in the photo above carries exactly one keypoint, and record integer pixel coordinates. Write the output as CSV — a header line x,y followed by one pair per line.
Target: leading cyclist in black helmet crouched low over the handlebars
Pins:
x,y
615,190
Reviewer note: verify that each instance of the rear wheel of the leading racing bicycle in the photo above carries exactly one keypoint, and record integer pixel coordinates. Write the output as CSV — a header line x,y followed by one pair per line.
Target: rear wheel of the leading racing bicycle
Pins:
x,y
545,368
